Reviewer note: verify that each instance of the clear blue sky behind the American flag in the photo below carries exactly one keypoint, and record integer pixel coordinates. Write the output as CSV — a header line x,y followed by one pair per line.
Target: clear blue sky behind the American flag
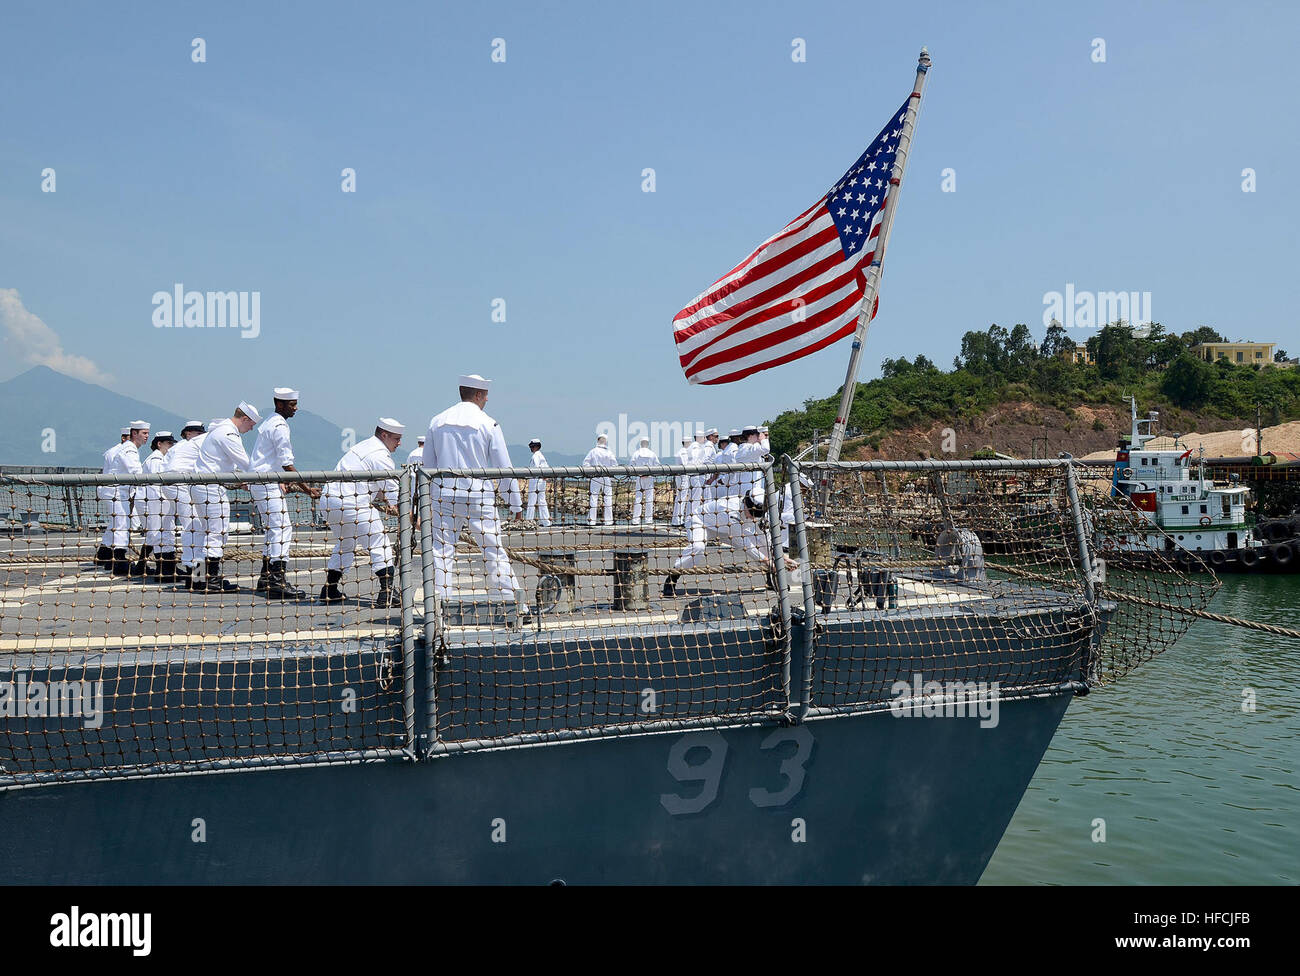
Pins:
x,y
523,181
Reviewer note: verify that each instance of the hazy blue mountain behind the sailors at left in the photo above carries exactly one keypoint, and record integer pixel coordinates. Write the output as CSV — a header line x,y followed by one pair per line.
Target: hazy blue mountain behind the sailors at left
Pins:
x,y
44,409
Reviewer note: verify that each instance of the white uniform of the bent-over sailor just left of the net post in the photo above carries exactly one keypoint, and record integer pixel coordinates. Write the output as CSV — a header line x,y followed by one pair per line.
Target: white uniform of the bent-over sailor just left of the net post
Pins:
x,y
349,507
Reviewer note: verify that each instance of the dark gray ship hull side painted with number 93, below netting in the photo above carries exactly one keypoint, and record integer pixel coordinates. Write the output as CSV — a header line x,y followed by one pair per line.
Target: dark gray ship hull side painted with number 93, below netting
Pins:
x,y
846,800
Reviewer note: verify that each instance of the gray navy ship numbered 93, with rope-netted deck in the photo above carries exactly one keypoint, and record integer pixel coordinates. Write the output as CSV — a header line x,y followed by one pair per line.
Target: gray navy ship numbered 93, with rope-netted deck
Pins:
x,y
869,713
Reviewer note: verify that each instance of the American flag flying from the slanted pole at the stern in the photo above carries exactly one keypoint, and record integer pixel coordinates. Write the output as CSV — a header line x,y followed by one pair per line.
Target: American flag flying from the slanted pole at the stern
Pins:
x,y
801,289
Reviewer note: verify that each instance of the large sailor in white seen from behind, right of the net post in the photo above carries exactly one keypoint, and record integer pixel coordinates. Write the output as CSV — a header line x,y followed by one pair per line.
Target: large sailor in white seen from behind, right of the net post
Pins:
x,y
466,437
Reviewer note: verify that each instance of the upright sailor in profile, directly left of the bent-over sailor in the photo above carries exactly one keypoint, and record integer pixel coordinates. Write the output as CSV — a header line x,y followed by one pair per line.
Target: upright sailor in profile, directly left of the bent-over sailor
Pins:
x,y
274,452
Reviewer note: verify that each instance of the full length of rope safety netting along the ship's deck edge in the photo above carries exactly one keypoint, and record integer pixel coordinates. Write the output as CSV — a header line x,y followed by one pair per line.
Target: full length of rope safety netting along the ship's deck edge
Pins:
x,y
171,623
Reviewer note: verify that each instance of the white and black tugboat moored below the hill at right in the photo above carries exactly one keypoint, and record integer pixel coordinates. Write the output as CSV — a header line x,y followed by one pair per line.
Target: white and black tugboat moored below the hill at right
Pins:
x,y
1193,520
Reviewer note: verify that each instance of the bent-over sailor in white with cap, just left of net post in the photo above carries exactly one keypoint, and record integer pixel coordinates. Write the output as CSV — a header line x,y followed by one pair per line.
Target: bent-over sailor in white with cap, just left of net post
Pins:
x,y
353,509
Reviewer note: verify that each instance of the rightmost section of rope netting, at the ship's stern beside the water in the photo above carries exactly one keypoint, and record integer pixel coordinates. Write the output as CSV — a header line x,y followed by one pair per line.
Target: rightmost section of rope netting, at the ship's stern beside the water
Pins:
x,y
950,578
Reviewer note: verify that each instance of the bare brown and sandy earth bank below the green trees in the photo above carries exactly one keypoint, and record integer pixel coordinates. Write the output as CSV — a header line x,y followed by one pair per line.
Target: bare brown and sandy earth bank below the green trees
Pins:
x,y
1026,430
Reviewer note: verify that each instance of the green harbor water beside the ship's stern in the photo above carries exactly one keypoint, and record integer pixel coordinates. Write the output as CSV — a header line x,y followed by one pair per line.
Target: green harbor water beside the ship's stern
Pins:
x,y
1193,790
